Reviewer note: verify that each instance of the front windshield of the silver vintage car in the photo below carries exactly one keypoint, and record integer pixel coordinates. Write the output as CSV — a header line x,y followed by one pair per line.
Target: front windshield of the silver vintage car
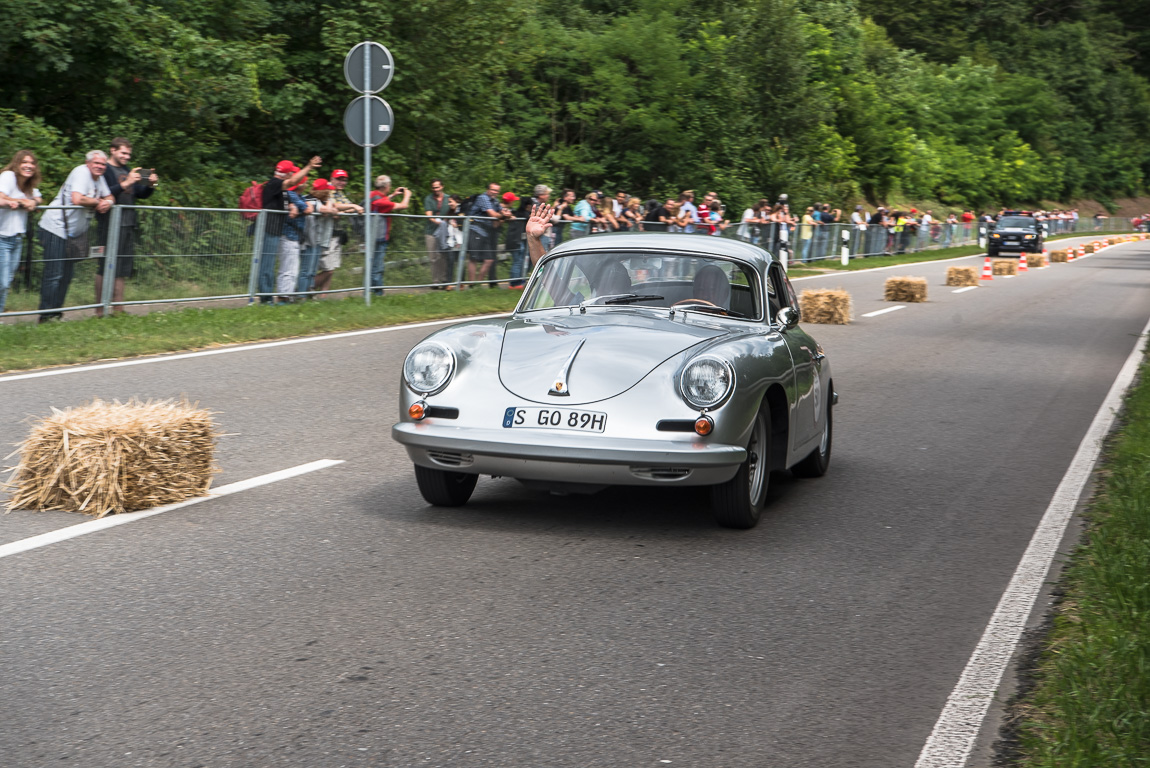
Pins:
x,y
650,280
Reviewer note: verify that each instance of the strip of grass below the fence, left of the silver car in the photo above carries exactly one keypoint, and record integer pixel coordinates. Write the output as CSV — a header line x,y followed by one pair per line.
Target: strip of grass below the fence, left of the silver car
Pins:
x,y
28,345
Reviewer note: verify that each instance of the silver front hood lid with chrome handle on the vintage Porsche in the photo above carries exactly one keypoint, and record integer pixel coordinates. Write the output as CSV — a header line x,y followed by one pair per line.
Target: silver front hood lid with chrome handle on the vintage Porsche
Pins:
x,y
614,350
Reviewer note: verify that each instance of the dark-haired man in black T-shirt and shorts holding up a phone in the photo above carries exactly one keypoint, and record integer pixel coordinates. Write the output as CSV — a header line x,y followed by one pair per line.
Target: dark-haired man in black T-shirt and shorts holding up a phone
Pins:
x,y
128,186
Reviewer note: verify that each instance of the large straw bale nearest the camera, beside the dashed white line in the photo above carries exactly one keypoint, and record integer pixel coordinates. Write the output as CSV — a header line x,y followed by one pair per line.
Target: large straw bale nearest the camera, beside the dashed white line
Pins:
x,y
104,458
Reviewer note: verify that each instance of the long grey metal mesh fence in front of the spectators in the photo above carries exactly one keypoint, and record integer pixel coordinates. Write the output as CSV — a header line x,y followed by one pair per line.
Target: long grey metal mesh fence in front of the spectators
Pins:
x,y
168,256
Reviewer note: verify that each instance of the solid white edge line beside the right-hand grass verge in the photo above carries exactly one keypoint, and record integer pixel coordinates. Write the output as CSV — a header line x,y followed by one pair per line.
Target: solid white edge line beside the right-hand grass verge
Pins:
x,y
954,736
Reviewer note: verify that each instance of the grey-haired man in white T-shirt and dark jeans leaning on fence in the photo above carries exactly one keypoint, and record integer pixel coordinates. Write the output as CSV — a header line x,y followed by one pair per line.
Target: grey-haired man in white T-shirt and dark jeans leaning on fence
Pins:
x,y
64,234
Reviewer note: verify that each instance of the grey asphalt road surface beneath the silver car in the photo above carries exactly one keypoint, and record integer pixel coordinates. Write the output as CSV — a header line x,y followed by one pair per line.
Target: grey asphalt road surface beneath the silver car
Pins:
x,y
336,620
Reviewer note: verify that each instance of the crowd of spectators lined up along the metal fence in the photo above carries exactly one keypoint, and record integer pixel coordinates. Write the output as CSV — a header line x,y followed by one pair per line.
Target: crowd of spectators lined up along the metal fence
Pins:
x,y
308,228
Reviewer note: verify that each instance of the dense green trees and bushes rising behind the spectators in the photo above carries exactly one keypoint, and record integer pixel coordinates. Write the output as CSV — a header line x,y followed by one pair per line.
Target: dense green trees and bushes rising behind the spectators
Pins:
x,y
963,103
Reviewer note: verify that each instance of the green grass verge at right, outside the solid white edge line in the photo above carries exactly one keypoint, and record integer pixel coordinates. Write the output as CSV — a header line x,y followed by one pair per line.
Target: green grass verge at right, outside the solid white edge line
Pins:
x,y
1091,705
